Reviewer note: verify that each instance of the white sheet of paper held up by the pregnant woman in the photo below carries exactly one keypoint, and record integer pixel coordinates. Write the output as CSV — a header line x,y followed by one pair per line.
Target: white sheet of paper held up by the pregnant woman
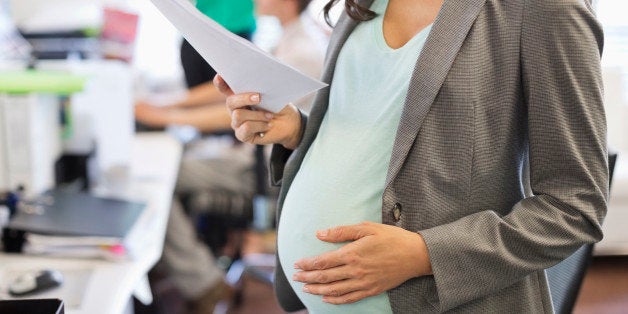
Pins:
x,y
245,67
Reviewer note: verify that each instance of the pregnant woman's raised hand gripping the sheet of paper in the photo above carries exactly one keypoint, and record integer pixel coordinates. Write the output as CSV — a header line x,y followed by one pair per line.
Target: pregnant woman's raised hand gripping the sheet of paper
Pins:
x,y
258,126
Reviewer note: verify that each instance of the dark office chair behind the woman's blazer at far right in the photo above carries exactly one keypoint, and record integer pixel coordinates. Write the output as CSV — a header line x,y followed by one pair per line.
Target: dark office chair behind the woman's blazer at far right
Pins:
x,y
565,278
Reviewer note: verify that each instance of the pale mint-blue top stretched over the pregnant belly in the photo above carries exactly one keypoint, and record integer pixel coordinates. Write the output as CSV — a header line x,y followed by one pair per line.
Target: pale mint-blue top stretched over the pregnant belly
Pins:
x,y
341,180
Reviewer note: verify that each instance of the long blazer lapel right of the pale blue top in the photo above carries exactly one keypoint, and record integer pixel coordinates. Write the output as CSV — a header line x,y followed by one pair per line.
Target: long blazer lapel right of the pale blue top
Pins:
x,y
446,37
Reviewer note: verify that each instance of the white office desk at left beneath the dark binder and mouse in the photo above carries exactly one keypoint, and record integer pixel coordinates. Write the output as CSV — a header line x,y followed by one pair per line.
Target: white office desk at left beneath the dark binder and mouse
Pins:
x,y
110,284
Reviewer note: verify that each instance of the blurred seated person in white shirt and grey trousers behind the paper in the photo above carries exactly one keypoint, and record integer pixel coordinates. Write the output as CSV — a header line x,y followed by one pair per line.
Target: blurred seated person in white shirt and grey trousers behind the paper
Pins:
x,y
188,261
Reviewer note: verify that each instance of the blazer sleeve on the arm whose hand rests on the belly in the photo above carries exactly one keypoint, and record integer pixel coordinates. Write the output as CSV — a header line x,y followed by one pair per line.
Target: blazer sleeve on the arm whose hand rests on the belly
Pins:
x,y
485,252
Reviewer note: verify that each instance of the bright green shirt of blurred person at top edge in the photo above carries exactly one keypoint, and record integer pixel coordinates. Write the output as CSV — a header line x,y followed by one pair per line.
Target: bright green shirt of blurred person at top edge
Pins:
x,y
237,16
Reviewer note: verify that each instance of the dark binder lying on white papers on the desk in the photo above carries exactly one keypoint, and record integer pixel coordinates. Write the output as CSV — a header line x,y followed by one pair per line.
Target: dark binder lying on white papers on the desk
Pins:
x,y
76,224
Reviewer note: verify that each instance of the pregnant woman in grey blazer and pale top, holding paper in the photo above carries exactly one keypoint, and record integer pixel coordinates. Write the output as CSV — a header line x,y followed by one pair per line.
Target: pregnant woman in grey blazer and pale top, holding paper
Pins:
x,y
404,190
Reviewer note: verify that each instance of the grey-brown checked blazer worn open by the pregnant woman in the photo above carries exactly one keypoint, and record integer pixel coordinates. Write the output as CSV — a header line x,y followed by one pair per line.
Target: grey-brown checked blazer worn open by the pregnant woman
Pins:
x,y
499,83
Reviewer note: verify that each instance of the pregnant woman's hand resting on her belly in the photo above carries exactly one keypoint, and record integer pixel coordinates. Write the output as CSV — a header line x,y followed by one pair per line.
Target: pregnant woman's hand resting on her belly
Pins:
x,y
378,258
